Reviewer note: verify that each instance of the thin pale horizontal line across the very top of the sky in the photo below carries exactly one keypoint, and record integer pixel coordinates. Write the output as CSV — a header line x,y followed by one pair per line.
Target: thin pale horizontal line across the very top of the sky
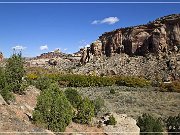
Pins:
x,y
89,2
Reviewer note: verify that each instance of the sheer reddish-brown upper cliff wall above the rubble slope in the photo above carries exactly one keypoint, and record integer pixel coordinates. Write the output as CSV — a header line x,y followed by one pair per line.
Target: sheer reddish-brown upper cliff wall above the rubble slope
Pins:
x,y
161,35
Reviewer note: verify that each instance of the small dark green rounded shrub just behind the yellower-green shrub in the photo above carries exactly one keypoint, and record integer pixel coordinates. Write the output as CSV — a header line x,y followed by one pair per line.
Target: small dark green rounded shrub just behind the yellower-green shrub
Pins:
x,y
73,96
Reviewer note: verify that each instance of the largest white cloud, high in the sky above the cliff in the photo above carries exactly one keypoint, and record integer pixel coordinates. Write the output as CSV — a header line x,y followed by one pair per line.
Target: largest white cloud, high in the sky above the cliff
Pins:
x,y
108,20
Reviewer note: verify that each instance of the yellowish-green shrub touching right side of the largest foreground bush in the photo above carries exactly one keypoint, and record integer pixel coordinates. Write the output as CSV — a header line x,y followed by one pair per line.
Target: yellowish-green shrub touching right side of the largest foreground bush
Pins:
x,y
85,112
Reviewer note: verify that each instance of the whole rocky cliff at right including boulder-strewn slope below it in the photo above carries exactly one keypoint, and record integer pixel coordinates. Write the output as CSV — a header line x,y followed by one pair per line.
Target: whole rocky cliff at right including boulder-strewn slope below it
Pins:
x,y
155,48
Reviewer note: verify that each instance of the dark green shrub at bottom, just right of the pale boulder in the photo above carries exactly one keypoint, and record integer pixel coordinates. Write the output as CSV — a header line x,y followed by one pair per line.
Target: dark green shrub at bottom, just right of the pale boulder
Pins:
x,y
148,123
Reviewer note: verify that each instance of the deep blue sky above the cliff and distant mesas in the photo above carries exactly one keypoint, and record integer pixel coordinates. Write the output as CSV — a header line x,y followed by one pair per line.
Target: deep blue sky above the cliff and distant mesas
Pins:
x,y
69,26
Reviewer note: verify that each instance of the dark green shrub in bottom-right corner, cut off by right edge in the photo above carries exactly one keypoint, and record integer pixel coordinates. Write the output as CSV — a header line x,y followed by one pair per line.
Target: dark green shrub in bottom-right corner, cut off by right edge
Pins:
x,y
173,125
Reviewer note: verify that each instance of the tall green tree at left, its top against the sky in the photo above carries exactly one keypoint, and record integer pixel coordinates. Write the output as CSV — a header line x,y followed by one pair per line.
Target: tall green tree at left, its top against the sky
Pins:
x,y
14,72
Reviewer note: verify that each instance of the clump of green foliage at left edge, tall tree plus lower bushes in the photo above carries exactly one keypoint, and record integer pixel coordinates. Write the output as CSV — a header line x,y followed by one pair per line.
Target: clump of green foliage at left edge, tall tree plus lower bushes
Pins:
x,y
11,78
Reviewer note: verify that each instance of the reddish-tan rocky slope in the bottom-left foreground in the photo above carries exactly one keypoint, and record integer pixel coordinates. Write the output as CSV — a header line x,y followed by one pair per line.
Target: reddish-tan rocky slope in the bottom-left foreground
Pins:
x,y
15,118
